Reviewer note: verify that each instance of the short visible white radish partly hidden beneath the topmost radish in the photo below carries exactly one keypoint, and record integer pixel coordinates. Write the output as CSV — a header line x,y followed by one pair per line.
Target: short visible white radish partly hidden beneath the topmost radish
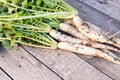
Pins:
x,y
71,30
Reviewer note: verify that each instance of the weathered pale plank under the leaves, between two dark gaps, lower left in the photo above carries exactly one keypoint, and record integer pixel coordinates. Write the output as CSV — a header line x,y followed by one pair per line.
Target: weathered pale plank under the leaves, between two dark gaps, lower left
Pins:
x,y
22,66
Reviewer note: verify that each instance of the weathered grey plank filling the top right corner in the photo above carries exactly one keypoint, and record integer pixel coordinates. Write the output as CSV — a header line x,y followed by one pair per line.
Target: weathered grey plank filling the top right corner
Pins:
x,y
110,7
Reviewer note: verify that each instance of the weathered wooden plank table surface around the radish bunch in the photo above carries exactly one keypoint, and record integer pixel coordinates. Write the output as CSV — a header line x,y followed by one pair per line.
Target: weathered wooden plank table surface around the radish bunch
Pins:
x,y
28,63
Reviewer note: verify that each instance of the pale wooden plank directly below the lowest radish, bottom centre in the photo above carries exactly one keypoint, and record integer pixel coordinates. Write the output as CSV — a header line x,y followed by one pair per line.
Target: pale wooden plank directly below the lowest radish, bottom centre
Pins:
x,y
67,65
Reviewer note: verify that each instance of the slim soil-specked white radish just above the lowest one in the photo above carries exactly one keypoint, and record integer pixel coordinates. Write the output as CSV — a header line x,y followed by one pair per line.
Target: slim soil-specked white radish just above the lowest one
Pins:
x,y
66,38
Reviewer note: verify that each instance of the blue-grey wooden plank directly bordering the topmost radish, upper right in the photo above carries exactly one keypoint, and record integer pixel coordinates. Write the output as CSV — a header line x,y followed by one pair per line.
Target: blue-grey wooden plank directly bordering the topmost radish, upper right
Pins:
x,y
94,16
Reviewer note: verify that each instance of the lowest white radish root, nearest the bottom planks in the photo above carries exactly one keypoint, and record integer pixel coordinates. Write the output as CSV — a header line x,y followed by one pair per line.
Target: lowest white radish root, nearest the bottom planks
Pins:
x,y
81,49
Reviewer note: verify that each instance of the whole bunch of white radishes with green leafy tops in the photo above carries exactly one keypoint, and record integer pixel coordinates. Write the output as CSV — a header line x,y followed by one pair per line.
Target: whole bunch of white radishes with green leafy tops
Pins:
x,y
53,24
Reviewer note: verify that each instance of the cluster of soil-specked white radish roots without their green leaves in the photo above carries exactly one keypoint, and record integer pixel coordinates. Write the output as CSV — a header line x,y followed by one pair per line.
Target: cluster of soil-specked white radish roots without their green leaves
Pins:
x,y
82,38
